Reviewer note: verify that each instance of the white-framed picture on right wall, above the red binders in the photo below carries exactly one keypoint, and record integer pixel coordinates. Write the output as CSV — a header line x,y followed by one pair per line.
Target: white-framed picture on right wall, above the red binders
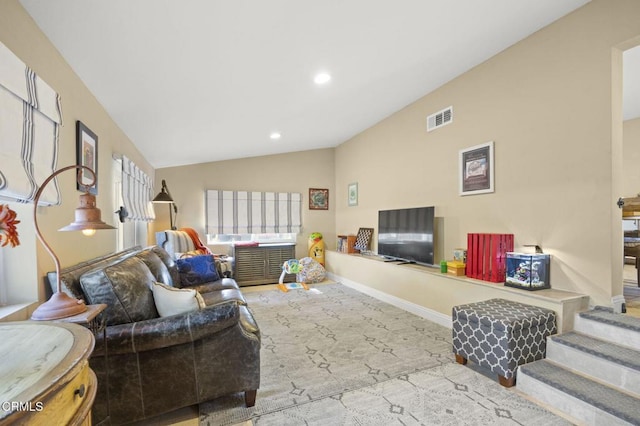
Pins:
x,y
476,169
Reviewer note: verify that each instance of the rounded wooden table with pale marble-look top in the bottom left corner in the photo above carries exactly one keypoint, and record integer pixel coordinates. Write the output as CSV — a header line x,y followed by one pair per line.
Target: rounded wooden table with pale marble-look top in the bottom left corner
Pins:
x,y
45,373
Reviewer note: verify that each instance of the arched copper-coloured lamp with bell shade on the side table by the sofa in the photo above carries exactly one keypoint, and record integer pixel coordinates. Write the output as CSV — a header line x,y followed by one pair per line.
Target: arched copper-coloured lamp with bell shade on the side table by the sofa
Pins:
x,y
87,220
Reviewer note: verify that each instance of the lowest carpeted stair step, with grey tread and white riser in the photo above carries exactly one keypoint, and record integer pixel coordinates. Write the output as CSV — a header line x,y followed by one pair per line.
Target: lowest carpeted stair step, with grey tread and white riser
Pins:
x,y
580,397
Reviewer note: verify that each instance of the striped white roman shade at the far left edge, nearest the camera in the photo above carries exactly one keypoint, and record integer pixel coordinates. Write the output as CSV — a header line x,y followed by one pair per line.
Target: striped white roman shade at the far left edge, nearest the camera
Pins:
x,y
30,117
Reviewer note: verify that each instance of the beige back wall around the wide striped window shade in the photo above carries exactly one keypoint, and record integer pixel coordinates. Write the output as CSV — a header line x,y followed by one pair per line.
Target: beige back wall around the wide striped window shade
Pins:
x,y
292,172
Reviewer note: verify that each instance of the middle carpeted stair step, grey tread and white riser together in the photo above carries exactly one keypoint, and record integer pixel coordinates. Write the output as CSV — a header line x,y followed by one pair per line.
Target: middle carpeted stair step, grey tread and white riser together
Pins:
x,y
608,362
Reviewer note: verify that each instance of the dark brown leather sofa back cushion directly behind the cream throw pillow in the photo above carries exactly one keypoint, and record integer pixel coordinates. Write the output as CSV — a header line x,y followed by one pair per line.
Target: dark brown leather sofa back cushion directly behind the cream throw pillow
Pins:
x,y
125,287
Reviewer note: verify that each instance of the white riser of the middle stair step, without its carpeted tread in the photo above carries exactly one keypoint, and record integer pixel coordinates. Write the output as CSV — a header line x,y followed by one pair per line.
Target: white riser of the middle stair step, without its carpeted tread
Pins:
x,y
602,369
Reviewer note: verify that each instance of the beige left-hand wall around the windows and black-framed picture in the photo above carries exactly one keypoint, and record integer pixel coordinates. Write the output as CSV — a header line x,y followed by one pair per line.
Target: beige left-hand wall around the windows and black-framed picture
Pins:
x,y
20,34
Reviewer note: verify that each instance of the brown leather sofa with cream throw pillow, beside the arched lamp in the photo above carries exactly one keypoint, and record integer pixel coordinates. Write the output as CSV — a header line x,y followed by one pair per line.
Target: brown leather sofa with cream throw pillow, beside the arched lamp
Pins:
x,y
158,364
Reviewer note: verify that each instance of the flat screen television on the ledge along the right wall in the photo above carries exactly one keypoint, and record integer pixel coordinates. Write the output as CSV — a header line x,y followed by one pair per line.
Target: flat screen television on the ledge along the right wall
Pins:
x,y
406,235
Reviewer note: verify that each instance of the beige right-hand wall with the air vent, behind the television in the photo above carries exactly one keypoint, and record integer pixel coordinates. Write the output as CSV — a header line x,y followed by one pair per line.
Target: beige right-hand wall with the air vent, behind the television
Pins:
x,y
546,102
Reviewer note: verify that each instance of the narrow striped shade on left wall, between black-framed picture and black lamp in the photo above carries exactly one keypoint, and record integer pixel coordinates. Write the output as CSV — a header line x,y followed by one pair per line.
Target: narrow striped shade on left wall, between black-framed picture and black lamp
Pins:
x,y
137,191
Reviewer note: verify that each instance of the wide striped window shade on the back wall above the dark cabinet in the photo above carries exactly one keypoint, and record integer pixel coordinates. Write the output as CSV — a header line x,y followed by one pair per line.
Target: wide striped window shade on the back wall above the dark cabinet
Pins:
x,y
243,212
